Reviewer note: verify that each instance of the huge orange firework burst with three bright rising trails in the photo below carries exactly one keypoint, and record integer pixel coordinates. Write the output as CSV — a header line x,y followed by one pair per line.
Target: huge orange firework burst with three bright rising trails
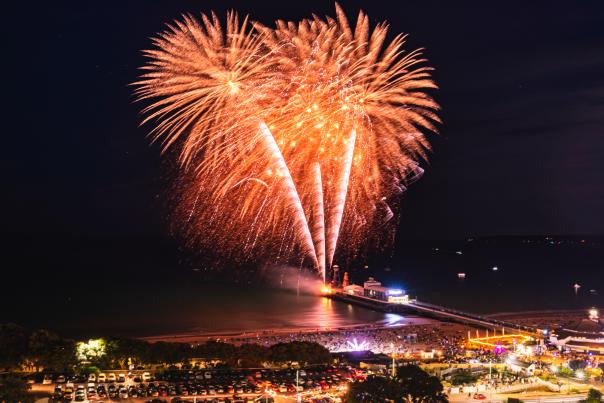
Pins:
x,y
290,136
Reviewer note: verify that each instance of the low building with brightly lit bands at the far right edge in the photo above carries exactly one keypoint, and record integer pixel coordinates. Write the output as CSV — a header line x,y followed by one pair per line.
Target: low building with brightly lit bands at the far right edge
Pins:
x,y
585,335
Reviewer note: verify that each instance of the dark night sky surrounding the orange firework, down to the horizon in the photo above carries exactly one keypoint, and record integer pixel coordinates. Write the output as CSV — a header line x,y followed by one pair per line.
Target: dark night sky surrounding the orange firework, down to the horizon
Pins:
x,y
522,91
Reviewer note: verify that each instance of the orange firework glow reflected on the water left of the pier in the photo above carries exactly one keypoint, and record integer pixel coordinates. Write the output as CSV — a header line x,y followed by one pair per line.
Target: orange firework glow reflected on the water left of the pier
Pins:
x,y
213,310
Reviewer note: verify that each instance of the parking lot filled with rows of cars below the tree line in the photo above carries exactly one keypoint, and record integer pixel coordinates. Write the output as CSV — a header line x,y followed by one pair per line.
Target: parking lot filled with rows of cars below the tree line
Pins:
x,y
199,385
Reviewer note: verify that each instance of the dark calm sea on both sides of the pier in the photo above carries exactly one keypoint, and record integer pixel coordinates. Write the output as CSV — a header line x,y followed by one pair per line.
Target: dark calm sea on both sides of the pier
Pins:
x,y
152,295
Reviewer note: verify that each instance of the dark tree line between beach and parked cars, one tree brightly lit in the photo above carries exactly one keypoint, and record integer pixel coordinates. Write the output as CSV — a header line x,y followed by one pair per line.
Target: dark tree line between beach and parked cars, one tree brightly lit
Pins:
x,y
43,349
